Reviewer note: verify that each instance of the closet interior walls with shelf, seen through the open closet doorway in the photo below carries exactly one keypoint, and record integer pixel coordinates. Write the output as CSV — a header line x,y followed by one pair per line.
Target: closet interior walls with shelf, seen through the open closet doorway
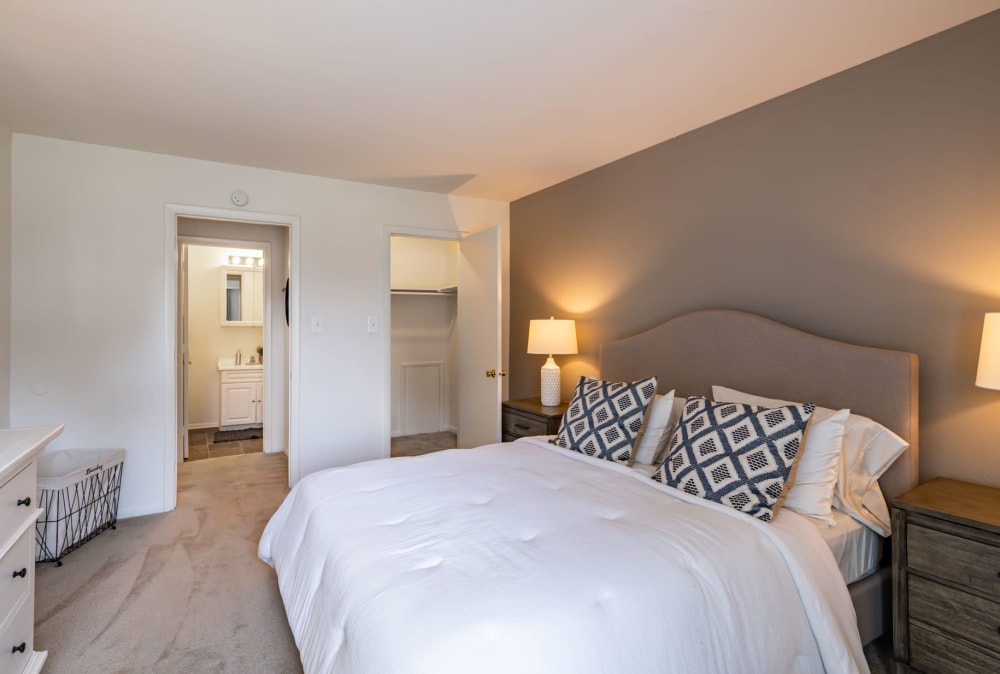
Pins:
x,y
424,277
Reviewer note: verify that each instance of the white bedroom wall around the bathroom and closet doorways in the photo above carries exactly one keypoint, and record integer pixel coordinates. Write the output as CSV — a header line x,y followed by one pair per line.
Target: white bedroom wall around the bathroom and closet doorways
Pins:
x,y
89,319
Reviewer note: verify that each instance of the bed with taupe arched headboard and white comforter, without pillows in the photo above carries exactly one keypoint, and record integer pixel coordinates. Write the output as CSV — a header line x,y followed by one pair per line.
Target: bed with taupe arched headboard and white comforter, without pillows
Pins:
x,y
531,558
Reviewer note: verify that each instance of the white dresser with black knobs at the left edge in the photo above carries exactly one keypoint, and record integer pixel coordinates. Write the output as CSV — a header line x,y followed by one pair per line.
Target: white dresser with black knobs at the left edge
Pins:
x,y
19,449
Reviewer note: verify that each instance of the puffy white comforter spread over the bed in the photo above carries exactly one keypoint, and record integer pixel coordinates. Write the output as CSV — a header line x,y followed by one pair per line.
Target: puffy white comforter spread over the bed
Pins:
x,y
521,557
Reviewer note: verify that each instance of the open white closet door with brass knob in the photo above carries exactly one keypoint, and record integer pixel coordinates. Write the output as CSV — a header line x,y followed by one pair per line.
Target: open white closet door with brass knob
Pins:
x,y
480,339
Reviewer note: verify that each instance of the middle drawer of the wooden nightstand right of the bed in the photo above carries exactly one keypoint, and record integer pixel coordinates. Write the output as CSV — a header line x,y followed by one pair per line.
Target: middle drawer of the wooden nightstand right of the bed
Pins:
x,y
960,613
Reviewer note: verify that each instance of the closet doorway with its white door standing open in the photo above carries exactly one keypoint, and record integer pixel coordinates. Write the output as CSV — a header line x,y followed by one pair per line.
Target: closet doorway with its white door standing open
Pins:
x,y
468,333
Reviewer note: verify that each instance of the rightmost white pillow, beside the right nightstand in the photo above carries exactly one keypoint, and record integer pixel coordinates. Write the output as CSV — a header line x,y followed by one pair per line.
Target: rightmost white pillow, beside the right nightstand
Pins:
x,y
869,449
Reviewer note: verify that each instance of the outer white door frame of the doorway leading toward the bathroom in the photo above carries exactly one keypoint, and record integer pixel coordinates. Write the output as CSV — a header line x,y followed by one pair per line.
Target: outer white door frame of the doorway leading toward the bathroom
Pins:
x,y
171,213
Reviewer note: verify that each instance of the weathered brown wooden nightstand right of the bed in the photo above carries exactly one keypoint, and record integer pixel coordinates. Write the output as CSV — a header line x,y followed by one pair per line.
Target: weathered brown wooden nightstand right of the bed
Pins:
x,y
946,578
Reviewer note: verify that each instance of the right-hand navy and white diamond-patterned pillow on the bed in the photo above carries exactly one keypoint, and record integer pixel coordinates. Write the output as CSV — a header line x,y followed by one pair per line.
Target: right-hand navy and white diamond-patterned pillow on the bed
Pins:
x,y
734,454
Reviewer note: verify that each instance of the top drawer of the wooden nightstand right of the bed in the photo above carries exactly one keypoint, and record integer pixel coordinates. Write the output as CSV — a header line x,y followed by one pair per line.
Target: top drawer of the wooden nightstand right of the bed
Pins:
x,y
959,560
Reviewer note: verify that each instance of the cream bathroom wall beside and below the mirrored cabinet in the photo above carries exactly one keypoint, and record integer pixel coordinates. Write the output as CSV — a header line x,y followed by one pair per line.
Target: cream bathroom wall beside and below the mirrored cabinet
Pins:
x,y
208,339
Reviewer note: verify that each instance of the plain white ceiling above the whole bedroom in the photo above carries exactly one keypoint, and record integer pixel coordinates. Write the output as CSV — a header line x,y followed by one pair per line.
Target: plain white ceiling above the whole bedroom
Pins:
x,y
486,98
